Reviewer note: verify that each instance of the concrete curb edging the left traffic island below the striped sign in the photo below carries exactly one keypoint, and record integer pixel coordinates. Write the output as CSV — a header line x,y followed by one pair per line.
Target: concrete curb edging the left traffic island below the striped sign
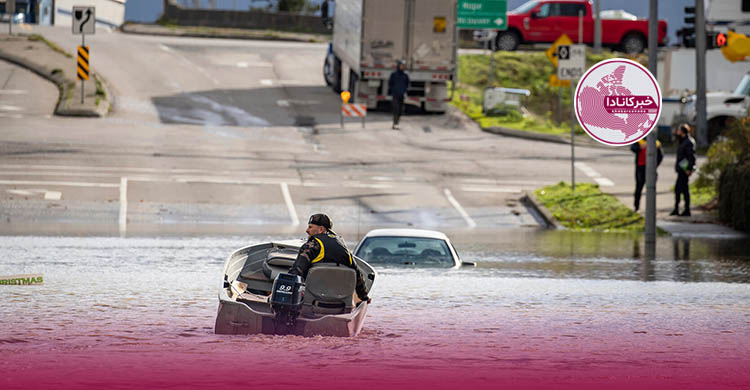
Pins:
x,y
64,87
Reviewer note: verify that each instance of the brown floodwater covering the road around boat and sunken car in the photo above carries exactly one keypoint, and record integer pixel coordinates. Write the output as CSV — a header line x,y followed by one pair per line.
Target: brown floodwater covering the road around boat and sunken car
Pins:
x,y
542,308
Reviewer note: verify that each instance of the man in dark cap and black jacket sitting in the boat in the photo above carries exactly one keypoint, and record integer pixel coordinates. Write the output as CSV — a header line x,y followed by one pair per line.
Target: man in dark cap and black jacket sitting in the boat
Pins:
x,y
325,246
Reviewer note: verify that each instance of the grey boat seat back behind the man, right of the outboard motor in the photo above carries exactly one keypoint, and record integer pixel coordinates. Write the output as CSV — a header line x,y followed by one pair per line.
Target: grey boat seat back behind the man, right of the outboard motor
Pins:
x,y
329,289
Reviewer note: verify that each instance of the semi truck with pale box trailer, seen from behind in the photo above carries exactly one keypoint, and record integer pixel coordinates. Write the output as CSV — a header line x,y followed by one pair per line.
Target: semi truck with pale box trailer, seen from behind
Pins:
x,y
370,36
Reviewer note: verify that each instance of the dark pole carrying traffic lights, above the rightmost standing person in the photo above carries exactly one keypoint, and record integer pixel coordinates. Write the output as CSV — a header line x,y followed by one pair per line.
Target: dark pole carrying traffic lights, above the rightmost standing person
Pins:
x,y
701,130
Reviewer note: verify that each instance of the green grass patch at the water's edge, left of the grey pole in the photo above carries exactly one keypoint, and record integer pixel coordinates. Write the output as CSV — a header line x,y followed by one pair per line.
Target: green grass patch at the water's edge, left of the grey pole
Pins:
x,y
588,208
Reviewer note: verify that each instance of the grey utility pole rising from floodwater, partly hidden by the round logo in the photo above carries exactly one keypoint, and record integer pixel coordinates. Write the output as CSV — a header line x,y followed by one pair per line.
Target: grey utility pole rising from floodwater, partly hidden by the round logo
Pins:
x,y
653,36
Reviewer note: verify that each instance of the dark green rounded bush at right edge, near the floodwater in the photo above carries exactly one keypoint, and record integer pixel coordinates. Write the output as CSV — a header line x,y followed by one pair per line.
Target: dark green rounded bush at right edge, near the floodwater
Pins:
x,y
734,196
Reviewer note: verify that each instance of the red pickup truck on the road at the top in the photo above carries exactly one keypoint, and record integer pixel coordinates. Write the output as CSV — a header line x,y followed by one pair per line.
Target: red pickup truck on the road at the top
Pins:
x,y
542,21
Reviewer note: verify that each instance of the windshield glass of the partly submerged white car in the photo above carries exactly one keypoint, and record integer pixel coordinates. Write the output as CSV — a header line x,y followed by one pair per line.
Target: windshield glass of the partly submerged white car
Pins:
x,y
406,250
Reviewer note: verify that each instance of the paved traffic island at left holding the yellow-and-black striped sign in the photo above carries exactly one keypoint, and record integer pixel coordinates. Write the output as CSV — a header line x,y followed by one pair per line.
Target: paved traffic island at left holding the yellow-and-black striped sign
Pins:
x,y
34,53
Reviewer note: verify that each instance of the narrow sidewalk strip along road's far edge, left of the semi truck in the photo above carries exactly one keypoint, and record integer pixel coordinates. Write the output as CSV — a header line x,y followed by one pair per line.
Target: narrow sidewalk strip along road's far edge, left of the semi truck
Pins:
x,y
220,32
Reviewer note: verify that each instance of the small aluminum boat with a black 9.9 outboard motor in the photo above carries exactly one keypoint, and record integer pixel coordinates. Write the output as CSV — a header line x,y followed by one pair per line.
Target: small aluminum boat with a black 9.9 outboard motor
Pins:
x,y
251,299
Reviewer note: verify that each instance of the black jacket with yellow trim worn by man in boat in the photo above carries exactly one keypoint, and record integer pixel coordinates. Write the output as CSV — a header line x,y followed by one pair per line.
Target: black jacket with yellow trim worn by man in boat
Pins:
x,y
327,248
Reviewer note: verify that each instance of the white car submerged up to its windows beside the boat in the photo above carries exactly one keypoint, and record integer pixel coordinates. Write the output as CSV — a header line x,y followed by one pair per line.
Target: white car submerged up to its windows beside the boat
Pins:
x,y
408,247
